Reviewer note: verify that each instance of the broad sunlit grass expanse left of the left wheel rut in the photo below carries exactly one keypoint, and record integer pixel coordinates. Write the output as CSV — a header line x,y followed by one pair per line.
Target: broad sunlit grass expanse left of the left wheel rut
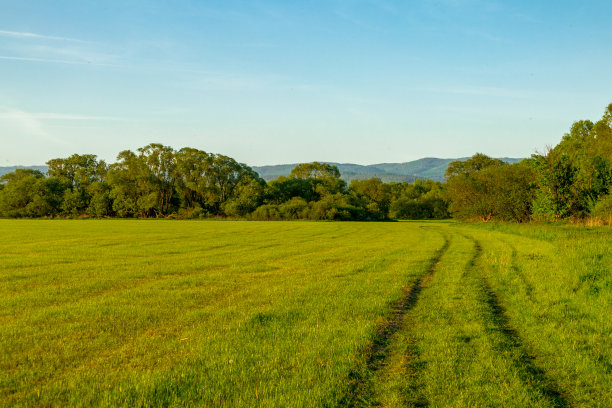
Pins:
x,y
147,313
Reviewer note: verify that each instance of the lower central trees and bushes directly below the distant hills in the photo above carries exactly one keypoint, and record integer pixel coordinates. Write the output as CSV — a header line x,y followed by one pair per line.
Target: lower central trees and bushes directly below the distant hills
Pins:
x,y
326,197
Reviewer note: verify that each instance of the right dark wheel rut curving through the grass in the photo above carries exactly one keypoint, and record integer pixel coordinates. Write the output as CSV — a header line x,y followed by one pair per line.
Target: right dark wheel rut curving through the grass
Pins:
x,y
530,374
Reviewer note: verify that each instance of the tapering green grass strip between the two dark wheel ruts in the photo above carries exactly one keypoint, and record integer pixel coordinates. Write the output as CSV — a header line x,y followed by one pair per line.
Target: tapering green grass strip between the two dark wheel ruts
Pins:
x,y
459,352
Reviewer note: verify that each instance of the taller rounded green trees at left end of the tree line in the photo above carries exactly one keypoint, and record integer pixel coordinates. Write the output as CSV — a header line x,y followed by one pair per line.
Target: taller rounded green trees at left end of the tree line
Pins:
x,y
155,181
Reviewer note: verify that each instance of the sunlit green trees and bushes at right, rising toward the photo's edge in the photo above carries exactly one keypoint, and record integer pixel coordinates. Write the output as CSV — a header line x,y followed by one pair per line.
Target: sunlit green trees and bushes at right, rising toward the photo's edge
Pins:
x,y
571,180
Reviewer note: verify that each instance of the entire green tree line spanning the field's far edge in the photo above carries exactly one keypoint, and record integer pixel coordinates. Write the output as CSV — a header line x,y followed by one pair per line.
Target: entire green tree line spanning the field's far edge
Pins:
x,y
570,180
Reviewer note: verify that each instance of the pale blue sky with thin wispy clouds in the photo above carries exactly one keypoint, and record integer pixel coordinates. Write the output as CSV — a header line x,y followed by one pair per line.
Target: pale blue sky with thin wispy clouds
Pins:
x,y
271,82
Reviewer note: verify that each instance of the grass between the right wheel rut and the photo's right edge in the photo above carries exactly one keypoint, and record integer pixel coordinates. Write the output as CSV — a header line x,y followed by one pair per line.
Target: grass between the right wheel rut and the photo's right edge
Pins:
x,y
556,285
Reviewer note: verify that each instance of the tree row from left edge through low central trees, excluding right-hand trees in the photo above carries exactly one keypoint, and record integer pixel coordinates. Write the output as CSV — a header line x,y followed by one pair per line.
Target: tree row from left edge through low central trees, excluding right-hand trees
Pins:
x,y
157,181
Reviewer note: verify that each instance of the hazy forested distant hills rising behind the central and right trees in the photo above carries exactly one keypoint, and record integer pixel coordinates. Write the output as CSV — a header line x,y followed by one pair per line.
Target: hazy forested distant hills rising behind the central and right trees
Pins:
x,y
427,168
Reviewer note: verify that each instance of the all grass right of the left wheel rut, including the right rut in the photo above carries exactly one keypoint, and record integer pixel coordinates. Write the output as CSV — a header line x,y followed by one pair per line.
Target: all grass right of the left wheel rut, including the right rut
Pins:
x,y
513,316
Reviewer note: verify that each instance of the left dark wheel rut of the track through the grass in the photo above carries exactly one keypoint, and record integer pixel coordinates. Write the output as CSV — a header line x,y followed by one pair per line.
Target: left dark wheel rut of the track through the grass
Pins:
x,y
360,388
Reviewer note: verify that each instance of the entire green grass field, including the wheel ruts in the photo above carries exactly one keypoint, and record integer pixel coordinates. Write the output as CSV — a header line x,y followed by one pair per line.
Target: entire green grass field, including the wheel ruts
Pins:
x,y
275,314
